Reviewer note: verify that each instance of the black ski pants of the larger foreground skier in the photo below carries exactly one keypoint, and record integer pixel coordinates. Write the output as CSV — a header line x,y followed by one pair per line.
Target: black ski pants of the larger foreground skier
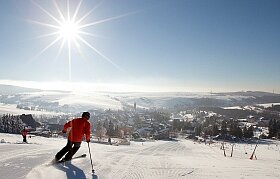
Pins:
x,y
70,149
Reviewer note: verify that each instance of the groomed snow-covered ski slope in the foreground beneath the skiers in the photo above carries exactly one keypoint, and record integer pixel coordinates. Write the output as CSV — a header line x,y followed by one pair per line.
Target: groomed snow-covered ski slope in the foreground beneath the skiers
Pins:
x,y
152,160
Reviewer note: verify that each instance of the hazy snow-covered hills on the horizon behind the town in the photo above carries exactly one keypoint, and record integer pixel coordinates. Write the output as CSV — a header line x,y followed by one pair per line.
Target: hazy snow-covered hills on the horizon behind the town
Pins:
x,y
76,101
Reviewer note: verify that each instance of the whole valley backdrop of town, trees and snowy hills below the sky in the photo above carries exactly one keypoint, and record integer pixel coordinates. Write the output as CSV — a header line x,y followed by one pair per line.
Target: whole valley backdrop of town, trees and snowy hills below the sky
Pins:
x,y
236,116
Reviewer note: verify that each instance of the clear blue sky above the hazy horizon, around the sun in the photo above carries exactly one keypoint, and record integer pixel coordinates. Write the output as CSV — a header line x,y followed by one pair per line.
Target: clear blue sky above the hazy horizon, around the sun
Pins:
x,y
160,45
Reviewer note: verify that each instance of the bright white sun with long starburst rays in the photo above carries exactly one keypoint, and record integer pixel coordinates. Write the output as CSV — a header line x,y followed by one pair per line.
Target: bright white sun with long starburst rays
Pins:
x,y
69,30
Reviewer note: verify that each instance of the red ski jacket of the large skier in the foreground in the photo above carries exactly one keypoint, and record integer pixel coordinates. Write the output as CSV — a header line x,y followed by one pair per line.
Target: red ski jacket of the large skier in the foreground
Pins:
x,y
79,127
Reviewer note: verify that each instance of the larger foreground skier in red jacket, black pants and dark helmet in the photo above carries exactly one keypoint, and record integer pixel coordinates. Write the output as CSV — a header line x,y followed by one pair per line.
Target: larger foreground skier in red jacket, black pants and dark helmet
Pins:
x,y
79,127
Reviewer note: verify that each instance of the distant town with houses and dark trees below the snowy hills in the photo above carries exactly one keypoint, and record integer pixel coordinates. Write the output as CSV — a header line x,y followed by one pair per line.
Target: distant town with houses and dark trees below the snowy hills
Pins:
x,y
241,123
